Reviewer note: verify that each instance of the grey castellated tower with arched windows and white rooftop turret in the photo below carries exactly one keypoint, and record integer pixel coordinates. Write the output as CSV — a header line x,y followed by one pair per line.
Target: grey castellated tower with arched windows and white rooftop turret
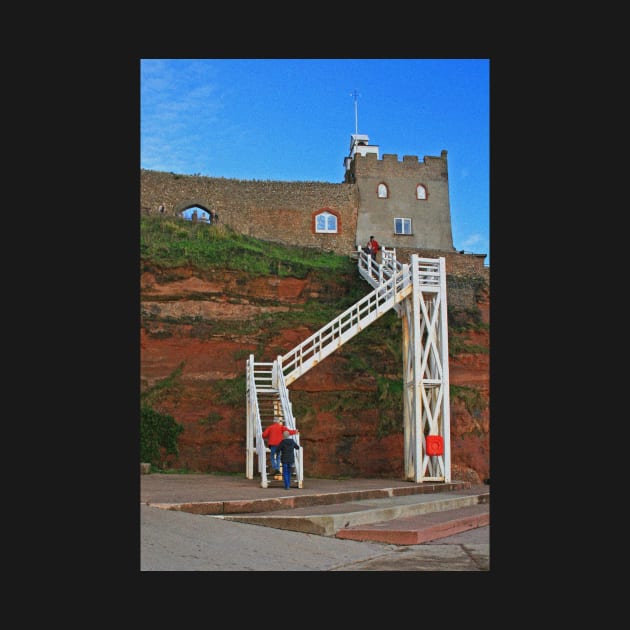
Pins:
x,y
403,204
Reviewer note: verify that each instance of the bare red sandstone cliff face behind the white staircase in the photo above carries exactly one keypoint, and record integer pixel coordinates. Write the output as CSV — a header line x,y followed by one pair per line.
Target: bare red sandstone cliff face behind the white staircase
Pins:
x,y
202,321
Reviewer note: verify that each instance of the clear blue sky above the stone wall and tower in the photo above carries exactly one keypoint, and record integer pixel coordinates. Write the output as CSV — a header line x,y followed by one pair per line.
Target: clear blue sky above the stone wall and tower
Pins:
x,y
291,120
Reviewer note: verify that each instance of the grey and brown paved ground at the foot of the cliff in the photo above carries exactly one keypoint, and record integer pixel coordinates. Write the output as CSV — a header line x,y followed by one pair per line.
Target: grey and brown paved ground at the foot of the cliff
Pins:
x,y
179,531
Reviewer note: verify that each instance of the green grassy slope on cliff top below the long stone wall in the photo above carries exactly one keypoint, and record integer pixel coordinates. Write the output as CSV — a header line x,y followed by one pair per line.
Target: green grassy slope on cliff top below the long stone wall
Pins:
x,y
175,242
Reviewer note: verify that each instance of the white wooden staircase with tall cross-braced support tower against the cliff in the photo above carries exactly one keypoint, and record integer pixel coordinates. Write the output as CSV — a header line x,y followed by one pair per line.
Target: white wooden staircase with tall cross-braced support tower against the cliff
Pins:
x,y
418,293
